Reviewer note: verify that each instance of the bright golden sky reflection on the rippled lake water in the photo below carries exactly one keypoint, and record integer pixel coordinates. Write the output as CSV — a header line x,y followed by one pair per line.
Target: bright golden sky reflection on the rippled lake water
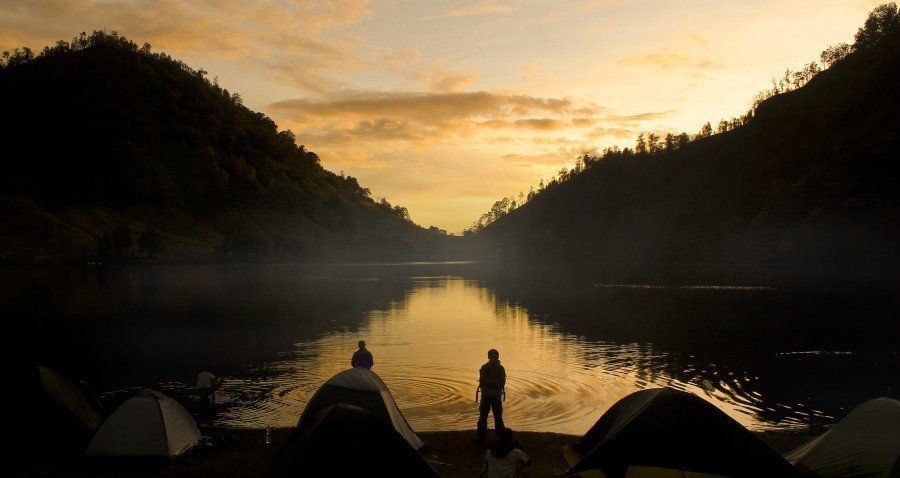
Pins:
x,y
429,345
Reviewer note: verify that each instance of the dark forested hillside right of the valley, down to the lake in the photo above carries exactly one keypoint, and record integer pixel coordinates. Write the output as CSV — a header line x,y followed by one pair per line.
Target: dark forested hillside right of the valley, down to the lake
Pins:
x,y
806,179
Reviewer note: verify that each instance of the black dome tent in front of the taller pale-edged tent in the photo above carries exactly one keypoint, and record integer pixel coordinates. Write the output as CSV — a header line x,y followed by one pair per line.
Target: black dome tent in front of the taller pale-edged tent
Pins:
x,y
344,440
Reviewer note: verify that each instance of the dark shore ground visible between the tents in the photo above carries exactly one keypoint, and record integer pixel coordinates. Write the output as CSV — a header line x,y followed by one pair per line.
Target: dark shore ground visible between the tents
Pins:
x,y
453,454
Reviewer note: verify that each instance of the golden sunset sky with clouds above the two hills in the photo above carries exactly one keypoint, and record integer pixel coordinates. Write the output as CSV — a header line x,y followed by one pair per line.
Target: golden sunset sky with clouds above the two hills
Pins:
x,y
444,107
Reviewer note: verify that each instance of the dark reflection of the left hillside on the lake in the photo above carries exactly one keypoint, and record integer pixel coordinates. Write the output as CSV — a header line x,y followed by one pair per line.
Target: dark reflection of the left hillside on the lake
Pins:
x,y
137,326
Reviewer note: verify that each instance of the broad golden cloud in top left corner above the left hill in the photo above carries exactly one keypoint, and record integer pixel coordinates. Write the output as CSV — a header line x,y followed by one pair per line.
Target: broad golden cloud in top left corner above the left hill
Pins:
x,y
261,34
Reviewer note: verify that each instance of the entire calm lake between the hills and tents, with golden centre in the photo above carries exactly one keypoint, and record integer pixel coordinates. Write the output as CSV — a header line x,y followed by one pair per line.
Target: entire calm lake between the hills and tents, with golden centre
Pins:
x,y
772,356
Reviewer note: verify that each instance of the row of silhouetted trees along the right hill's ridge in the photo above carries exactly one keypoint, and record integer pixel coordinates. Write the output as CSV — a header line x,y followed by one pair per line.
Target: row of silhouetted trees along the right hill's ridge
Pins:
x,y
881,22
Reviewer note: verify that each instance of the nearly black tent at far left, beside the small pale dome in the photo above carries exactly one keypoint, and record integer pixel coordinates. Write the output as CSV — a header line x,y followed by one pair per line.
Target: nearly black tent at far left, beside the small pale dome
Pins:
x,y
55,415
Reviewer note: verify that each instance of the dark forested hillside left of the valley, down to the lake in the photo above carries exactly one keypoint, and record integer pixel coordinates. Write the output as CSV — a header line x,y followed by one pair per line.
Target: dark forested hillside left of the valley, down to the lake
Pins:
x,y
112,152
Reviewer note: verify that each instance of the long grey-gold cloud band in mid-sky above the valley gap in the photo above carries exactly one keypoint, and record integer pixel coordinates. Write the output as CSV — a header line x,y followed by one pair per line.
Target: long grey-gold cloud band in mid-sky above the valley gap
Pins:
x,y
420,118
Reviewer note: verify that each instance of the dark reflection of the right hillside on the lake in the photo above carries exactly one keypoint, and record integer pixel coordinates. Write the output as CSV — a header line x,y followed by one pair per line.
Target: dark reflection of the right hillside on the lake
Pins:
x,y
788,352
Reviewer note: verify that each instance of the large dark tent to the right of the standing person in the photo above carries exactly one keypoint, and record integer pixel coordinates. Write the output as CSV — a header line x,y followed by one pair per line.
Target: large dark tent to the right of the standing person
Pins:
x,y
665,429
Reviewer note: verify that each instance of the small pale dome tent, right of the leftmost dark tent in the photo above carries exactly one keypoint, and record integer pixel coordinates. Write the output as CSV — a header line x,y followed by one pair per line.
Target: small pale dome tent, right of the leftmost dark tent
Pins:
x,y
149,424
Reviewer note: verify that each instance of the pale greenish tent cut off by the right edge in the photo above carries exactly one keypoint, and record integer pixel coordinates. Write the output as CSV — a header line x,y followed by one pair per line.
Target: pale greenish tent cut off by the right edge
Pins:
x,y
864,443
